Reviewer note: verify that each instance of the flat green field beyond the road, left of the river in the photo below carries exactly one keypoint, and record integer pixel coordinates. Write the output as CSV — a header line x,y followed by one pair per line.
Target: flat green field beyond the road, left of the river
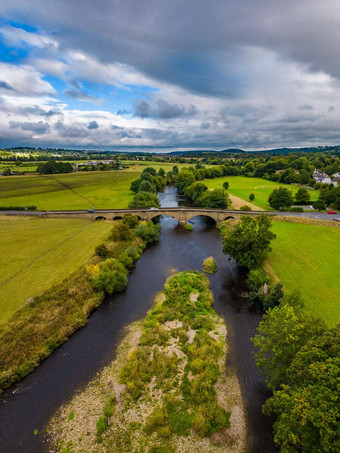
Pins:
x,y
83,190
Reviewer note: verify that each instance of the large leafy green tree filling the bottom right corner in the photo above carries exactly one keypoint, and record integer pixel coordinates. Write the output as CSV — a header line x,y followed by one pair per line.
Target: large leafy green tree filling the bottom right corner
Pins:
x,y
307,405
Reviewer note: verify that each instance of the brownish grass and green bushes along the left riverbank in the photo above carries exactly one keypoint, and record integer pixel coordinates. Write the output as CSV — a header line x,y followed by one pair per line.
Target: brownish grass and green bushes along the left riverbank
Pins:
x,y
37,328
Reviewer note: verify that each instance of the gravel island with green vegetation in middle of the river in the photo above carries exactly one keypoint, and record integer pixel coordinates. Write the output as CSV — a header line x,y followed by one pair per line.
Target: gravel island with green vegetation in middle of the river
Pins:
x,y
168,389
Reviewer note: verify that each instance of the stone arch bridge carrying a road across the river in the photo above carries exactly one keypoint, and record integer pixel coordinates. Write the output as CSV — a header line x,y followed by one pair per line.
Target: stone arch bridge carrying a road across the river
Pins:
x,y
181,214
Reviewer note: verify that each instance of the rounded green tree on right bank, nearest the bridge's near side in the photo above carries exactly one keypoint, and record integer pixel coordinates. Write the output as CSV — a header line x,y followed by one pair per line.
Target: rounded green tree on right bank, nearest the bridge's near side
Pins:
x,y
249,241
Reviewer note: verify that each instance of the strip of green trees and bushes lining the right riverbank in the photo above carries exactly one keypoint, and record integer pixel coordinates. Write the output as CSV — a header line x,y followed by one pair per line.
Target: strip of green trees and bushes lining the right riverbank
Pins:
x,y
297,354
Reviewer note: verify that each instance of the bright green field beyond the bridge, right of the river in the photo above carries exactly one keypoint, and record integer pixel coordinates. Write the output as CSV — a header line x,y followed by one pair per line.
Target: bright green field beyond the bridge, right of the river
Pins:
x,y
242,187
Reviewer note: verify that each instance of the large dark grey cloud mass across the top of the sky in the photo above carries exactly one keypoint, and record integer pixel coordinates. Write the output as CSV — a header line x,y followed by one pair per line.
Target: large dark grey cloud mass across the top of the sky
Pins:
x,y
195,44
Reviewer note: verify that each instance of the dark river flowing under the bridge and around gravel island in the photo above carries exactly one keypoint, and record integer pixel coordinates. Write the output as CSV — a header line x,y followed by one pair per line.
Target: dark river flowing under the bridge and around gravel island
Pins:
x,y
28,406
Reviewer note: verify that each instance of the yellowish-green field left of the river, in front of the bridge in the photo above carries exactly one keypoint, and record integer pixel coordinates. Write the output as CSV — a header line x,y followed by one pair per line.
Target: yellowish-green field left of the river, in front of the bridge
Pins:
x,y
37,253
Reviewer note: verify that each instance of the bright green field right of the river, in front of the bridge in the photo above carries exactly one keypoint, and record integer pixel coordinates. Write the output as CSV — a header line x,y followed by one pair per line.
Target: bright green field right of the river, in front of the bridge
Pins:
x,y
306,258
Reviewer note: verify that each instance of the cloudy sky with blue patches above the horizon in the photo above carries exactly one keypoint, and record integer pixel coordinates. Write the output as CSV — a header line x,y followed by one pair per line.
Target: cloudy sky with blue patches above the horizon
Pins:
x,y
157,75
